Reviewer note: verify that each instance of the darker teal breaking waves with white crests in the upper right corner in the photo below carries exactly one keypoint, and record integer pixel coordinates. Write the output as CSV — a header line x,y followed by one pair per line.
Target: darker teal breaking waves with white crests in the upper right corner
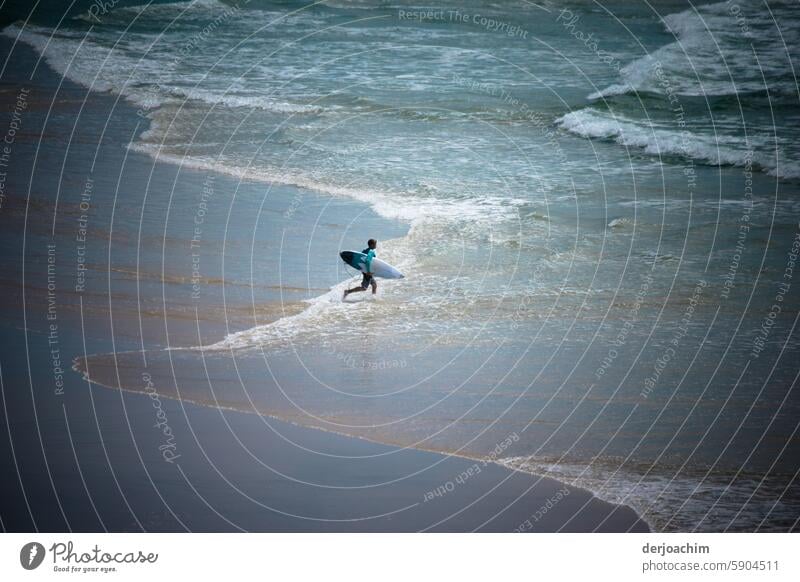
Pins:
x,y
725,50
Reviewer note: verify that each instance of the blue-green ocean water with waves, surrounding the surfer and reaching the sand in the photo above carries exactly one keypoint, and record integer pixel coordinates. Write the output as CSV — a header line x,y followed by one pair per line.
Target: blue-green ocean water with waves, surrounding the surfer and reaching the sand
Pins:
x,y
600,201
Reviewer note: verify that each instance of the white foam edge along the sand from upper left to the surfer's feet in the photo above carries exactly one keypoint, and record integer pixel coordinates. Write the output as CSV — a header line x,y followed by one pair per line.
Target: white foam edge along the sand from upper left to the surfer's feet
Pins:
x,y
97,62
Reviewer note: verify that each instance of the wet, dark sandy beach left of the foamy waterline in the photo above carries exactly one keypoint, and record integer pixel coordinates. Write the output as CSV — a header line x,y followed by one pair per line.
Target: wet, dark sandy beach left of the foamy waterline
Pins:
x,y
100,459
